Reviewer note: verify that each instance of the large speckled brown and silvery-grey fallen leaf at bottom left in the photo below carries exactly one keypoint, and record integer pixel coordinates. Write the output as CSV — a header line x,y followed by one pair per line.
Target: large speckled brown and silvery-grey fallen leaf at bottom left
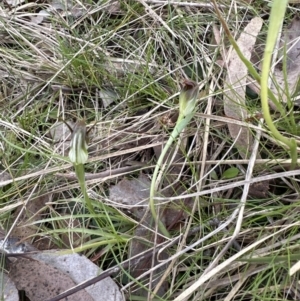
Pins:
x,y
48,274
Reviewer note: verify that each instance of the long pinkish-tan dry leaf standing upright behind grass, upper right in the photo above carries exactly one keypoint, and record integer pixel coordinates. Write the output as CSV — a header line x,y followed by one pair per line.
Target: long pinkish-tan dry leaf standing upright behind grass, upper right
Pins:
x,y
235,82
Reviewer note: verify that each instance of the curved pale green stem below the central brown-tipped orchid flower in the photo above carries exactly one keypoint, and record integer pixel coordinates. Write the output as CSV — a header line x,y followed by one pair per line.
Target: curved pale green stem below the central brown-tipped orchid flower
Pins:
x,y
181,123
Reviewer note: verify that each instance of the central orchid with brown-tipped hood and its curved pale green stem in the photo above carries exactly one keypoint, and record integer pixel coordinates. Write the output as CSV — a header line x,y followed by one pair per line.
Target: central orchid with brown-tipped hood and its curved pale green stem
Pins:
x,y
187,102
